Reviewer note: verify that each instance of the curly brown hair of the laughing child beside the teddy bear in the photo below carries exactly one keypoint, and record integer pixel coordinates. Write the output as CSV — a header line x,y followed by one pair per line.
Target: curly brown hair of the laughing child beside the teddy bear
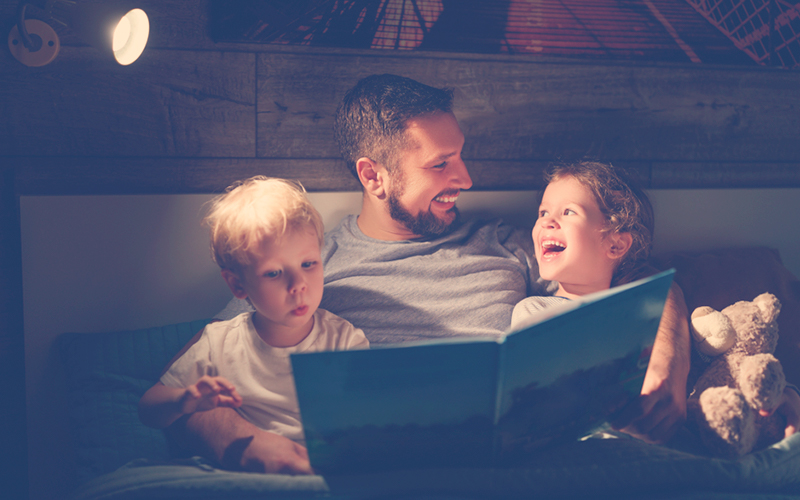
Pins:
x,y
624,205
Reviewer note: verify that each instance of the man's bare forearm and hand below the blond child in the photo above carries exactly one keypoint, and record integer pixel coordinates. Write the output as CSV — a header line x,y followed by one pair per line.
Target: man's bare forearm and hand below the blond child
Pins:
x,y
236,444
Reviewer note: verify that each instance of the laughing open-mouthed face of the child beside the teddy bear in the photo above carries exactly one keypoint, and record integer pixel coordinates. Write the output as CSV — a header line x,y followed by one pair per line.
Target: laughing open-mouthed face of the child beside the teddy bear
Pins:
x,y
569,241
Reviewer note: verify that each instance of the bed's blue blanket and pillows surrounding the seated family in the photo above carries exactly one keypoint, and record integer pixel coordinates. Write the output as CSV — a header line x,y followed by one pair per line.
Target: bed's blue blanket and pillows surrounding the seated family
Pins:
x,y
119,458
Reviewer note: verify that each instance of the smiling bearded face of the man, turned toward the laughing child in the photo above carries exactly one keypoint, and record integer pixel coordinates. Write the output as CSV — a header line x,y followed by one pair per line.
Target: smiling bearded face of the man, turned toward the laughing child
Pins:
x,y
429,175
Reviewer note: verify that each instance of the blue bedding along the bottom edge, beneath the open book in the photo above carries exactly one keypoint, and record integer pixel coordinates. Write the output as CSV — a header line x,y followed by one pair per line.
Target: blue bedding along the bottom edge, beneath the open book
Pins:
x,y
595,468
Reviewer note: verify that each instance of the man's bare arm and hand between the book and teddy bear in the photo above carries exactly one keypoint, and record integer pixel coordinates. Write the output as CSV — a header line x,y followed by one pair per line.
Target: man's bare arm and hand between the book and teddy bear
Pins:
x,y
661,409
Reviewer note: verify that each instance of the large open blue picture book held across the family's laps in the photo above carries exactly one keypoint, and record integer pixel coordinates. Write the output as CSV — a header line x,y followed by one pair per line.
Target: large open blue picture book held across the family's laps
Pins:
x,y
480,401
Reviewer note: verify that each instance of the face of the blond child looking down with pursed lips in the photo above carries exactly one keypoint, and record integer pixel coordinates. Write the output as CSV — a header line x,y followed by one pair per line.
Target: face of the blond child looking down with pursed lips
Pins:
x,y
284,284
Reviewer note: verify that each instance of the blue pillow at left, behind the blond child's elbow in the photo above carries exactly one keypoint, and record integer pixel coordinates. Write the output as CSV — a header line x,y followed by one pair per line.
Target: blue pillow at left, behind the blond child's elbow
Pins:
x,y
106,375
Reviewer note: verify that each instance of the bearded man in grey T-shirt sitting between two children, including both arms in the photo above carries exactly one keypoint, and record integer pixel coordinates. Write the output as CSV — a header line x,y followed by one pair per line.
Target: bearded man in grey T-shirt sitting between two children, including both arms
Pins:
x,y
407,268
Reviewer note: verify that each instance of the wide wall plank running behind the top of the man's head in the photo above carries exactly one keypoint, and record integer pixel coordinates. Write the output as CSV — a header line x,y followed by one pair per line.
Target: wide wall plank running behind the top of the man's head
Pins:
x,y
546,110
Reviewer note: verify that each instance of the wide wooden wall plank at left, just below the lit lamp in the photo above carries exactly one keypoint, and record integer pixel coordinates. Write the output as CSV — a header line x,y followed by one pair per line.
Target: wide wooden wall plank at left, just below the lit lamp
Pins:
x,y
172,103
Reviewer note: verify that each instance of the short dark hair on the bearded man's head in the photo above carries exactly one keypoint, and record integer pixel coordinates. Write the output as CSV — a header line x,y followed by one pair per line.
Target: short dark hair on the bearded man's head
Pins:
x,y
371,119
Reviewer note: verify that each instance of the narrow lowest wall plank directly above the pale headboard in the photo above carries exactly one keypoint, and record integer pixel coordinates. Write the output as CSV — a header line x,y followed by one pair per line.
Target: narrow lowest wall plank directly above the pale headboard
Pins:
x,y
81,175
